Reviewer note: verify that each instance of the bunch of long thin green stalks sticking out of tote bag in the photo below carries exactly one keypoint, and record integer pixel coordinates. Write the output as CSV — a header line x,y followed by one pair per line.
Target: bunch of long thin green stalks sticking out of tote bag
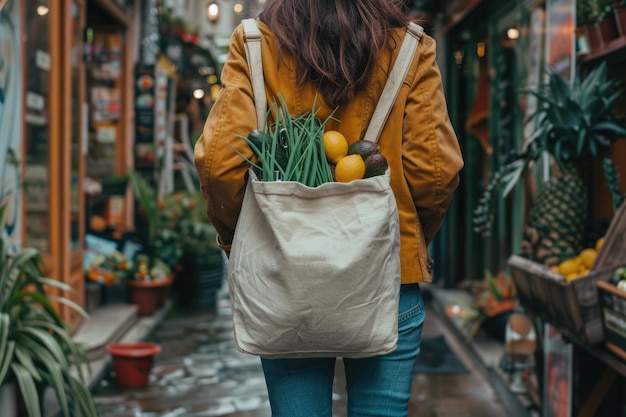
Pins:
x,y
291,148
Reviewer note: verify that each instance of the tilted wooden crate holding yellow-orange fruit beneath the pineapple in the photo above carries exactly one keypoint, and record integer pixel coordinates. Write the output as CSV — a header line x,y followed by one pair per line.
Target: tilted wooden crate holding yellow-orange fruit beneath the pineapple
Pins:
x,y
571,306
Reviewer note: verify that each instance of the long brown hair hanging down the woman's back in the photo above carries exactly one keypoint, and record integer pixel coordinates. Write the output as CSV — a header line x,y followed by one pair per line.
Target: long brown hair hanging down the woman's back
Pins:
x,y
335,42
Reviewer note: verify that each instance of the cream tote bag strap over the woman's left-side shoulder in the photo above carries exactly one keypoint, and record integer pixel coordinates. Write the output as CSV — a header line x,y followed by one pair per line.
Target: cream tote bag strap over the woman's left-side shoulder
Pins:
x,y
252,36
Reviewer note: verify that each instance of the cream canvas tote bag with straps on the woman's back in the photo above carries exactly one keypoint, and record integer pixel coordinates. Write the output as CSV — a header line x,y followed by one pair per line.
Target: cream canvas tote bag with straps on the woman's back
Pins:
x,y
315,272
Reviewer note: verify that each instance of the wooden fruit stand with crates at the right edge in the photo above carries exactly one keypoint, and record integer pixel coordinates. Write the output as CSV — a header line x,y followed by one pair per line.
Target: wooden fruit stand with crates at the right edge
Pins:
x,y
574,307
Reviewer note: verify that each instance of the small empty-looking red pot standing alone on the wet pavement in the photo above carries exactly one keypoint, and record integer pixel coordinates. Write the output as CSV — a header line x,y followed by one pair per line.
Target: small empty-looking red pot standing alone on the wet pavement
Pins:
x,y
132,362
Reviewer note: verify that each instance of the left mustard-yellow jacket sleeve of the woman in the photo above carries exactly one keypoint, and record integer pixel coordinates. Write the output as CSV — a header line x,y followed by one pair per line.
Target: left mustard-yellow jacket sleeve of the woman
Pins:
x,y
222,172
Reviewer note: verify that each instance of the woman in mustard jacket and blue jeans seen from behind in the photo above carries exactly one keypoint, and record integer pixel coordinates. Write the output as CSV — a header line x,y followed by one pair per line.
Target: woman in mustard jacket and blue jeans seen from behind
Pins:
x,y
342,51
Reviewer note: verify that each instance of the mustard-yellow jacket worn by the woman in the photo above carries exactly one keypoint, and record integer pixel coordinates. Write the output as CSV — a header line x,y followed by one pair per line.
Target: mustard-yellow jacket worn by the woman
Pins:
x,y
418,140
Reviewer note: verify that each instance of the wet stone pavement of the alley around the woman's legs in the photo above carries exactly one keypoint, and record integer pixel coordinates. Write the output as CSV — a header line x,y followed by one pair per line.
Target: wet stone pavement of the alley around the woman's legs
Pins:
x,y
199,373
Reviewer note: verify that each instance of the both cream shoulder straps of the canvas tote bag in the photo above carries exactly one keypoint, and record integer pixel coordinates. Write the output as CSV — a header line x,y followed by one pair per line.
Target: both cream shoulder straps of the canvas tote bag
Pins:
x,y
252,36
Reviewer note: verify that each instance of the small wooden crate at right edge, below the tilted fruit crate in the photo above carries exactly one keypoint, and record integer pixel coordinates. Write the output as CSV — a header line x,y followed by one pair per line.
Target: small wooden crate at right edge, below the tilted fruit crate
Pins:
x,y
612,303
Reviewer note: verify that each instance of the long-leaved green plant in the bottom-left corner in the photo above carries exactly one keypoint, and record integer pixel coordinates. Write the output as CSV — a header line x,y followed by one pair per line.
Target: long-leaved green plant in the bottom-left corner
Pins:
x,y
37,351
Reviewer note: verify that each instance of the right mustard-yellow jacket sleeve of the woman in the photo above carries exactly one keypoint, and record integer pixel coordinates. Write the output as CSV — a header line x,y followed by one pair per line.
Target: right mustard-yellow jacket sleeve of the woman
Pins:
x,y
432,156
